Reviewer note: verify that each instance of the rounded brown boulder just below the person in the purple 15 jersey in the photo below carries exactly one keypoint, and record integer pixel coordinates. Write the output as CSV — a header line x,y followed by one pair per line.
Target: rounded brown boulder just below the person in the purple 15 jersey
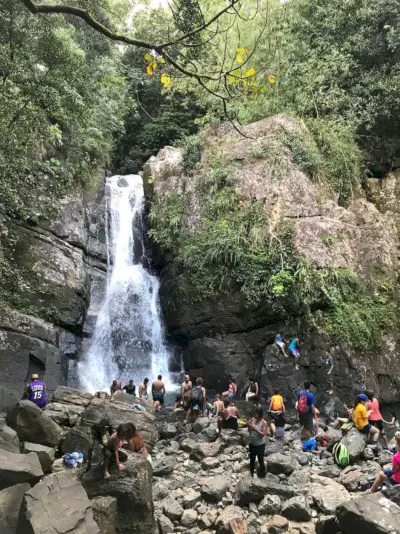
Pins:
x,y
33,425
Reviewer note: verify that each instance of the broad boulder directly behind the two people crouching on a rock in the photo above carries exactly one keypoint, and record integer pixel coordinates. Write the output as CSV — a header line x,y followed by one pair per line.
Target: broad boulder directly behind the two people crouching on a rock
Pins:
x,y
118,413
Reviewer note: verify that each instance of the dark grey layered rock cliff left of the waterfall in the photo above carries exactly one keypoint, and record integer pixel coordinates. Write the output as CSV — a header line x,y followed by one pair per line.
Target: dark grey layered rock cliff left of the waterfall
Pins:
x,y
49,270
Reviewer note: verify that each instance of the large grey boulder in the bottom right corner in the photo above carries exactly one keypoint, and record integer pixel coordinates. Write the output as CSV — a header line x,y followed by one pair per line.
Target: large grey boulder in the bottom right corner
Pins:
x,y
371,514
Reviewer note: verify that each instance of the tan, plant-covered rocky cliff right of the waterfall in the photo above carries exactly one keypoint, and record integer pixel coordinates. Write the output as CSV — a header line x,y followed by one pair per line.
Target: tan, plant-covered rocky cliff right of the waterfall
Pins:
x,y
341,261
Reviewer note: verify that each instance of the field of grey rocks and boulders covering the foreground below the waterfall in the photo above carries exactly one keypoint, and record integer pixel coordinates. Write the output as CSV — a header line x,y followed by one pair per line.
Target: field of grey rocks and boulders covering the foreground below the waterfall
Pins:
x,y
199,482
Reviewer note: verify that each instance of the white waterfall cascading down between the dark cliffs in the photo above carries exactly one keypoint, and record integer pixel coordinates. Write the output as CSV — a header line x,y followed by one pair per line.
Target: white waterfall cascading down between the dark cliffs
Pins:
x,y
128,340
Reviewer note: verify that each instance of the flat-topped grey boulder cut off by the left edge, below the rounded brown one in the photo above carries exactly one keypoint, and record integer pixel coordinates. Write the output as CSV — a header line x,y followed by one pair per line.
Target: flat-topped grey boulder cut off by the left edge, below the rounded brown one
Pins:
x,y
17,468
